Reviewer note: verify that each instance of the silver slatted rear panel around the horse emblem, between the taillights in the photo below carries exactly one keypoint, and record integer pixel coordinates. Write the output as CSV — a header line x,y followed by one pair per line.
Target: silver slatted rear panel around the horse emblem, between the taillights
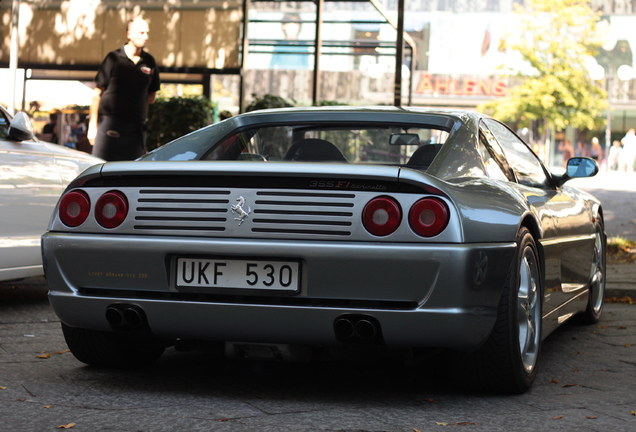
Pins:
x,y
209,211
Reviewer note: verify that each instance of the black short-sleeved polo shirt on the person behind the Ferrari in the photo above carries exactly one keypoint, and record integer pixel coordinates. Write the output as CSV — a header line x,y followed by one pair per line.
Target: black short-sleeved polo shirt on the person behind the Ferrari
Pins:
x,y
126,85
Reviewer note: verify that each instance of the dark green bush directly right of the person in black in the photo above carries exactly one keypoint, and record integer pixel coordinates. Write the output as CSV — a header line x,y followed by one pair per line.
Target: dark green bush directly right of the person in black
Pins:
x,y
174,117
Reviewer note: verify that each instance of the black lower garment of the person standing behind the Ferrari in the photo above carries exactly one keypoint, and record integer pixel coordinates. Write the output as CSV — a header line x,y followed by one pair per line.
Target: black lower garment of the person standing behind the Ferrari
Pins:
x,y
118,140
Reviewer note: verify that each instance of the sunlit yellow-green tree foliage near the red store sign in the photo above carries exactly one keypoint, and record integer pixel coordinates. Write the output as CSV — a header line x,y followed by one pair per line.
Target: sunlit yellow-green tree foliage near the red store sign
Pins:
x,y
556,39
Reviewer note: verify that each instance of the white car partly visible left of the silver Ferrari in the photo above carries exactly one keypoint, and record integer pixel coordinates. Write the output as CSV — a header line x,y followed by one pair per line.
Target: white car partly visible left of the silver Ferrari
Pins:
x,y
33,175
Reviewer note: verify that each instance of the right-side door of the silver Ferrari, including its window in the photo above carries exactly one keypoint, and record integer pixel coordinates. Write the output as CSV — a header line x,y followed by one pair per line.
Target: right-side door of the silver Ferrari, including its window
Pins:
x,y
566,241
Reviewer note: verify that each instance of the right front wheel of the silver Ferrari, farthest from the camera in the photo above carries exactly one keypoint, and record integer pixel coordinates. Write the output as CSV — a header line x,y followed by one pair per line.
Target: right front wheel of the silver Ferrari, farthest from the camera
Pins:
x,y
594,310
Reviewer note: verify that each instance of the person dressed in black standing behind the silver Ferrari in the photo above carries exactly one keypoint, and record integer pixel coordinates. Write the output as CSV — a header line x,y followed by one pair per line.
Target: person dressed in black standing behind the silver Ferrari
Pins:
x,y
126,82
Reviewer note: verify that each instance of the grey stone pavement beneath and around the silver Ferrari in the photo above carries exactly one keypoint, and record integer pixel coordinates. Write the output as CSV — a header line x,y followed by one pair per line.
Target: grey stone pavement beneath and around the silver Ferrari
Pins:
x,y
586,382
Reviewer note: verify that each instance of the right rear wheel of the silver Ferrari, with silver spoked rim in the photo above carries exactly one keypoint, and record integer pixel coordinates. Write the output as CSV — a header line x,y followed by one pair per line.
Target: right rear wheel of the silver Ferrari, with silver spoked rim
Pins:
x,y
507,362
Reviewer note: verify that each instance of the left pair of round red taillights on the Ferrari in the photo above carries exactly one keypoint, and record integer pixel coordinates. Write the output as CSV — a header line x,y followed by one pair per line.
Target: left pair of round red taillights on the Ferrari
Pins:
x,y
111,209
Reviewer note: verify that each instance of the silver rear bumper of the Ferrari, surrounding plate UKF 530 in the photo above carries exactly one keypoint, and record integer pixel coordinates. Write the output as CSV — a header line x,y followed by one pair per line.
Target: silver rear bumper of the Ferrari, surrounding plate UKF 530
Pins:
x,y
422,295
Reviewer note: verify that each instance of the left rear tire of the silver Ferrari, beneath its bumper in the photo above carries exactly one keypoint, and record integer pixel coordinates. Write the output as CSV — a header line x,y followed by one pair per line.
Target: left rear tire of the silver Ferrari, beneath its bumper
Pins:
x,y
107,349
